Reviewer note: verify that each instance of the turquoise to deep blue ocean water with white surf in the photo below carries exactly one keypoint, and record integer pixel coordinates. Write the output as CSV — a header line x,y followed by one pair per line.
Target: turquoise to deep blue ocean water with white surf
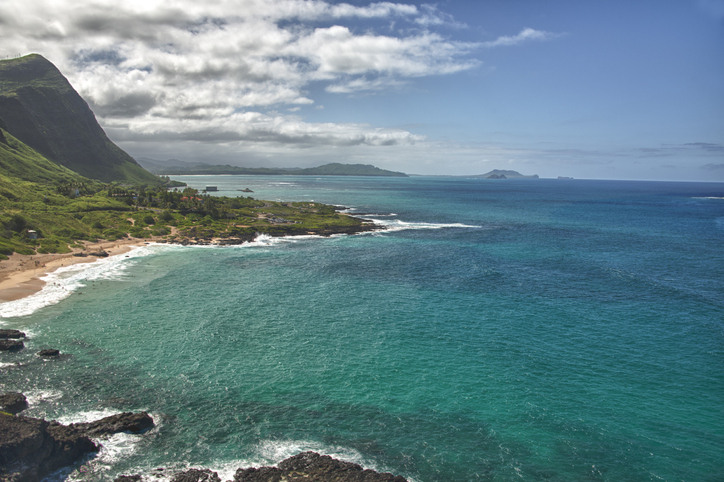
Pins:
x,y
499,330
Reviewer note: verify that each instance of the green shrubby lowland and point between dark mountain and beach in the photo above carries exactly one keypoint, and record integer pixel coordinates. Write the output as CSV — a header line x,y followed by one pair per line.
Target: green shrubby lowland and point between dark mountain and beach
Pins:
x,y
46,208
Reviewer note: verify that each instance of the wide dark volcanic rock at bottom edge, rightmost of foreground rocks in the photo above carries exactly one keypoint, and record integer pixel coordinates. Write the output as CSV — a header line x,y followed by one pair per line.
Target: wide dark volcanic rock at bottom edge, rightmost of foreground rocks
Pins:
x,y
310,466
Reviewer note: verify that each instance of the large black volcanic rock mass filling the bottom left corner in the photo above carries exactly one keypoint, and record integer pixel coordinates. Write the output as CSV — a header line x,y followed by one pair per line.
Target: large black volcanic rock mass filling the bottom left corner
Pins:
x,y
30,448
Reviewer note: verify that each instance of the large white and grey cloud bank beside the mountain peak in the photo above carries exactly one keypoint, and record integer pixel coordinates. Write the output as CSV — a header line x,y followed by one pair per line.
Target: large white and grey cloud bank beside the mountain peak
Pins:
x,y
201,71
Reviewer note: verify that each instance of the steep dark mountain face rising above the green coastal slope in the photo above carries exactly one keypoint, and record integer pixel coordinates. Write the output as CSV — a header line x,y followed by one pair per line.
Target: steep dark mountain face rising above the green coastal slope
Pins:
x,y
41,109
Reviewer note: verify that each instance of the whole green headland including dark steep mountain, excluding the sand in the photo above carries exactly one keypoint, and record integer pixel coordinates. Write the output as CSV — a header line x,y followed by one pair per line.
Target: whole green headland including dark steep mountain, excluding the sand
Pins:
x,y
62,181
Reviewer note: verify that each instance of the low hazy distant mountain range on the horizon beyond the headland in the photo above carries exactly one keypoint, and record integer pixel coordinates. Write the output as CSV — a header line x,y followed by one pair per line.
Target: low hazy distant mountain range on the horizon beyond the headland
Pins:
x,y
176,167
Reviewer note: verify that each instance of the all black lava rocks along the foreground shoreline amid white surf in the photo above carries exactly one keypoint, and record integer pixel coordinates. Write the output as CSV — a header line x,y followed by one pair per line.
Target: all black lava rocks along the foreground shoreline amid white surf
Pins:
x,y
32,448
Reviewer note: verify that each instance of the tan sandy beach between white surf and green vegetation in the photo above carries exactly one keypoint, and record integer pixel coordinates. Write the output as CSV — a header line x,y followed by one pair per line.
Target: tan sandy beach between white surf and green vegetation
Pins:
x,y
20,275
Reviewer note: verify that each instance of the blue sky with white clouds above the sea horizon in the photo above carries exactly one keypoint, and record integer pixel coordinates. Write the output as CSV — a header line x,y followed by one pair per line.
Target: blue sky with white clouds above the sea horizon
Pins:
x,y
581,88
